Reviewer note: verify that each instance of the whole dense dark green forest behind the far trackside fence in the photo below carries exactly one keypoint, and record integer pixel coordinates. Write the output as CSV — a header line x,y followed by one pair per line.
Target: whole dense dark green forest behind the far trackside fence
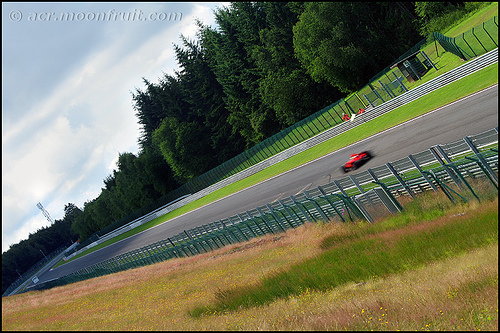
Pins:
x,y
265,67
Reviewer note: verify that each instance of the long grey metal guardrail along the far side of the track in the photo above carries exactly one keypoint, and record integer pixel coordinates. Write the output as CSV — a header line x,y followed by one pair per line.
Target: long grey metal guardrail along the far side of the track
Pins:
x,y
407,97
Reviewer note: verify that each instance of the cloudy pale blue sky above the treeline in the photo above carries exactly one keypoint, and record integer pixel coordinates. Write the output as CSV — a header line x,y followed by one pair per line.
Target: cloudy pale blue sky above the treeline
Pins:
x,y
68,74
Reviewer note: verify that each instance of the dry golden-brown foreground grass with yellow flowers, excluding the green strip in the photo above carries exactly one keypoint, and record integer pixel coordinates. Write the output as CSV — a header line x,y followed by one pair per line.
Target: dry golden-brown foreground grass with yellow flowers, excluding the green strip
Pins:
x,y
456,293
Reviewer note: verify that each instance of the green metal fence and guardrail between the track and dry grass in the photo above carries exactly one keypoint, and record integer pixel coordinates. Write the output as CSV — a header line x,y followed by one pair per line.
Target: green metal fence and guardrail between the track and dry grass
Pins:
x,y
353,197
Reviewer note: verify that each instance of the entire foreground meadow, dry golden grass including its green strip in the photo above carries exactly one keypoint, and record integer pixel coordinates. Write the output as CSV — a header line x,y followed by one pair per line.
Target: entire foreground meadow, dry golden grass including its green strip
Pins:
x,y
432,267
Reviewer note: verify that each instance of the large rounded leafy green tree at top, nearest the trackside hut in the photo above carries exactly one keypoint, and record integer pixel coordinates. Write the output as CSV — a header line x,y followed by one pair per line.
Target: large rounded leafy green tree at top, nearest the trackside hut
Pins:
x,y
346,43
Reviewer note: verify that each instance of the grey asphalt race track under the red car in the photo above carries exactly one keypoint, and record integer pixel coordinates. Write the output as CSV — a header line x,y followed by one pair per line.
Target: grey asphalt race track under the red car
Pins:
x,y
471,115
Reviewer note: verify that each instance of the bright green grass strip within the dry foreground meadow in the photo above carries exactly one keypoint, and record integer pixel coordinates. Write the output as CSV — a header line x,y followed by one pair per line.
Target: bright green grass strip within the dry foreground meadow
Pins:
x,y
368,253
